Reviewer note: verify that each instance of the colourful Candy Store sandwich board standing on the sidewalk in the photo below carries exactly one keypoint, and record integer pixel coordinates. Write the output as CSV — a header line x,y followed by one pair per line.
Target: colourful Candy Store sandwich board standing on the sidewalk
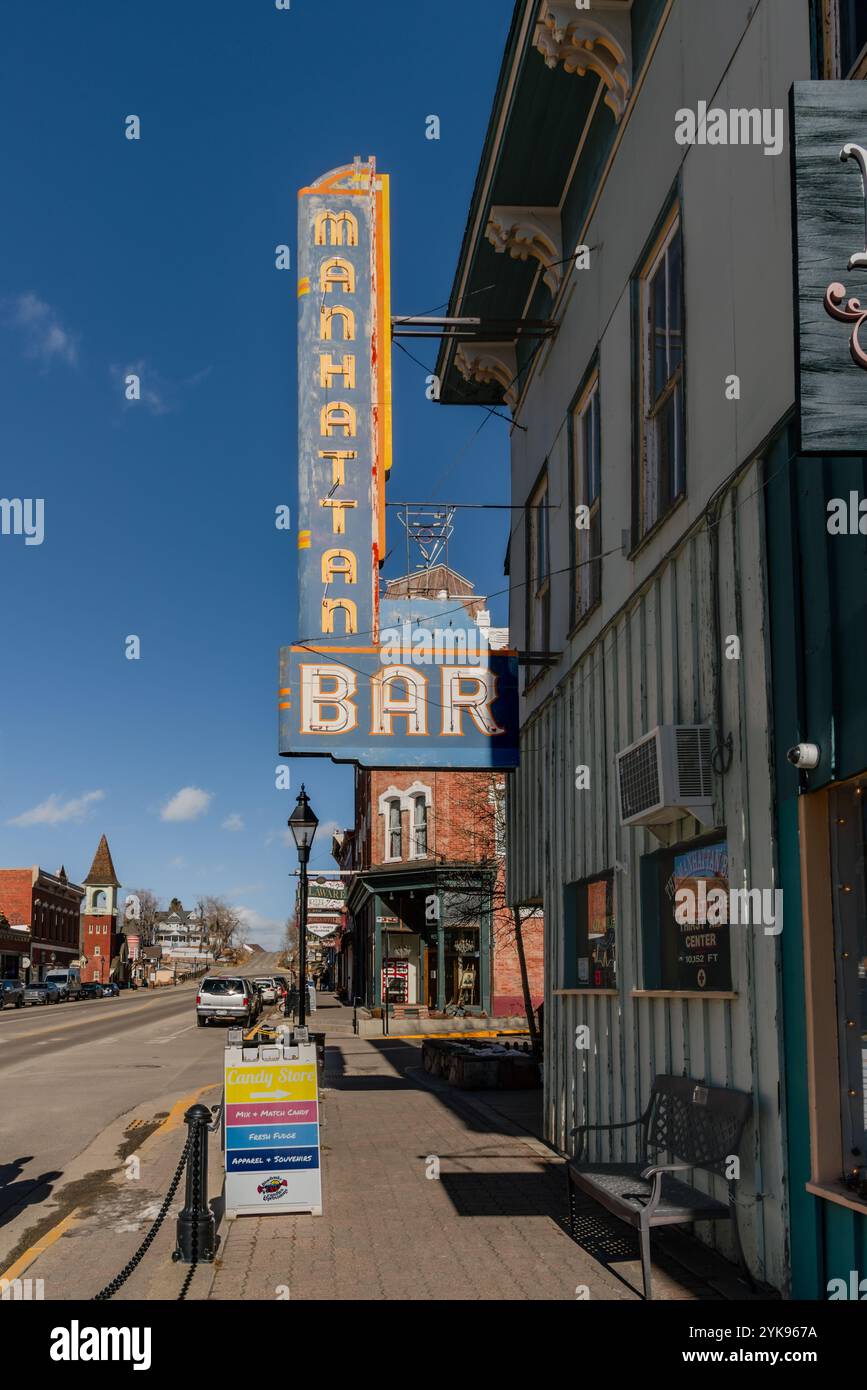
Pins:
x,y
272,1131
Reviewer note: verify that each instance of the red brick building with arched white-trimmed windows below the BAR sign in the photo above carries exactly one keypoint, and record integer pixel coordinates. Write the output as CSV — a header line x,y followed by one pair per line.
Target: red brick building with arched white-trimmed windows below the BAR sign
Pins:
x,y
427,918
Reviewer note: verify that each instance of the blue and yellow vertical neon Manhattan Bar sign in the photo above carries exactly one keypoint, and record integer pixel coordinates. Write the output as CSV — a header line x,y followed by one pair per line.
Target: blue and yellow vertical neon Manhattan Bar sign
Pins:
x,y
349,690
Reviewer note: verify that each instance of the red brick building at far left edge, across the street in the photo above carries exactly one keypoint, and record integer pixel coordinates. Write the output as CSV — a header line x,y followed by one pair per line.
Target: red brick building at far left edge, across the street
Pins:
x,y
49,907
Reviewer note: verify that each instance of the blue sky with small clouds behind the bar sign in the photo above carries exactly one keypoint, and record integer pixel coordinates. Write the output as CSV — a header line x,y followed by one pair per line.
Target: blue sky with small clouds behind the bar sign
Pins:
x,y
158,258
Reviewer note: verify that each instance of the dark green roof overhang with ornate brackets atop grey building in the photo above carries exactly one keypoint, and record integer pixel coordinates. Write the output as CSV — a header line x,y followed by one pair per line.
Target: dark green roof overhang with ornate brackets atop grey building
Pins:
x,y
565,72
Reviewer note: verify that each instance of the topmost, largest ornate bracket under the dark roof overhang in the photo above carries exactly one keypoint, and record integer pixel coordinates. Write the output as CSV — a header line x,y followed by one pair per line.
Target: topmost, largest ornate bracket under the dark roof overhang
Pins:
x,y
588,45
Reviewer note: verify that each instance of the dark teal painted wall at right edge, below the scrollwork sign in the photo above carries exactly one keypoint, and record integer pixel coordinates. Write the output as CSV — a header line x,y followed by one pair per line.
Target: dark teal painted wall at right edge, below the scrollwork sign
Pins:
x,y
819,637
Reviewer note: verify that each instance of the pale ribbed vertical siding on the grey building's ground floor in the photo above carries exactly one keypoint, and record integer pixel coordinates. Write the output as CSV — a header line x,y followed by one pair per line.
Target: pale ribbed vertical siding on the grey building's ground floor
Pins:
x,y
655,665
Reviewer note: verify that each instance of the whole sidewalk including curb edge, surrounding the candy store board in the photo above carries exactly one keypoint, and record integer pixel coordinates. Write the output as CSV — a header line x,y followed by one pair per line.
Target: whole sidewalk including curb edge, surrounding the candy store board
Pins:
x,y
429,1195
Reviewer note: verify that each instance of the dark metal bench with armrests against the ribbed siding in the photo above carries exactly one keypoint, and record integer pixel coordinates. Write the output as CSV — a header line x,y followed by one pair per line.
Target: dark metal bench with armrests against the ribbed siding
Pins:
x,y
698,1127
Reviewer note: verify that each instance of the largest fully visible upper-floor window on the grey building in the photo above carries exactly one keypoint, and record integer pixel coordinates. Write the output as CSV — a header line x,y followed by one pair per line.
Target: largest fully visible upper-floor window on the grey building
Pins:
x,y
663,434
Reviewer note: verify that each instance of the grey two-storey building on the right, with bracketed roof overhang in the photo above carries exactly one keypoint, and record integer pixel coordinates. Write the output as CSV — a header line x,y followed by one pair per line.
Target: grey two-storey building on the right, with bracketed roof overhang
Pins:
x,y
647,268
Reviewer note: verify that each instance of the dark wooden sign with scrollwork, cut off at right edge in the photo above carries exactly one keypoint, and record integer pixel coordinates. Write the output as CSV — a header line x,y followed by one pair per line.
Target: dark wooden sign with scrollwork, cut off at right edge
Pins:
x,y
830,224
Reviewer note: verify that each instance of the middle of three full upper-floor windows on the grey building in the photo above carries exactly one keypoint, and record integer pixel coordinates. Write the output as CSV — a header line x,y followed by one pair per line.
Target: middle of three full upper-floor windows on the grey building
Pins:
x,y
587,487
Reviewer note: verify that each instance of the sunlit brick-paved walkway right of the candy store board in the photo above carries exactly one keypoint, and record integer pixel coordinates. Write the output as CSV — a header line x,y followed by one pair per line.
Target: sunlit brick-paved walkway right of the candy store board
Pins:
x,y
491,1227
